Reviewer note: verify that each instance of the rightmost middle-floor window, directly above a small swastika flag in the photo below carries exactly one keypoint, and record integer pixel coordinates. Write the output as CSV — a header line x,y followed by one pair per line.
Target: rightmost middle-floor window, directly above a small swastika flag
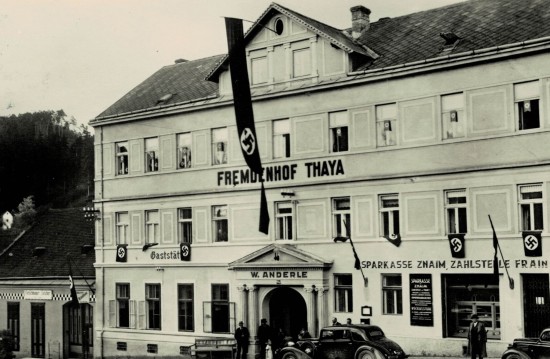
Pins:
x,y
530,203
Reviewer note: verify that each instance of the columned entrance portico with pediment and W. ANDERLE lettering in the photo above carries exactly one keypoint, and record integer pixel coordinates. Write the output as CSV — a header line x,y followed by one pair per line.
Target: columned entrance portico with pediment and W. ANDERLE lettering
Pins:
x,y
285,285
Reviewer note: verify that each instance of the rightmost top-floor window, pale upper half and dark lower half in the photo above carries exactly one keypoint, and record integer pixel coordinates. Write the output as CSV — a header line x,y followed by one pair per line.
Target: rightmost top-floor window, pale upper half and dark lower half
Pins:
x,y
526,98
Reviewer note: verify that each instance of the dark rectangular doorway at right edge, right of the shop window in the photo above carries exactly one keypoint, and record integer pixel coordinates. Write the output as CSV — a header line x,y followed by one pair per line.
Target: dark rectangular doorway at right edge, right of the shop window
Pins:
x,y
536,303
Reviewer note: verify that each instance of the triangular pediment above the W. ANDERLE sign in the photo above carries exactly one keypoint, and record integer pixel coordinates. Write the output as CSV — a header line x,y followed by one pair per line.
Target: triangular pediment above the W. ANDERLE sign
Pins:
x,y
280,256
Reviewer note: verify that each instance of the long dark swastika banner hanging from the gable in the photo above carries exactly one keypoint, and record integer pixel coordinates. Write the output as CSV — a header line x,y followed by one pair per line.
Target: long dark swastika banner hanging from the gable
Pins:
x,y
243,109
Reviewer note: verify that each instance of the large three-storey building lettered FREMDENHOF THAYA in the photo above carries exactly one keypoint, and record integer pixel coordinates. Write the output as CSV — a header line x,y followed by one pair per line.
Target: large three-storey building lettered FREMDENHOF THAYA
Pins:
x,y
404,134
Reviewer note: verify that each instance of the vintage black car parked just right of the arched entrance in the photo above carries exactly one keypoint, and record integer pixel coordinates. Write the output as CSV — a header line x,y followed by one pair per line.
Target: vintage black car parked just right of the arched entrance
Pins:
x,y
345,342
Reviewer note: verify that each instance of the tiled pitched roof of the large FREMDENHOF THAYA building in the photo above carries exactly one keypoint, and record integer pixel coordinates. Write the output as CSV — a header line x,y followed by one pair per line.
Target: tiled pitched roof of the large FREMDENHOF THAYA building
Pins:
x,y
479,24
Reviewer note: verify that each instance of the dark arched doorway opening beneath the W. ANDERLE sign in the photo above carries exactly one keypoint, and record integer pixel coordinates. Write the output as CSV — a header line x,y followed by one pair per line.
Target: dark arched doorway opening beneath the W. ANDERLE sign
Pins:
x,y
287,310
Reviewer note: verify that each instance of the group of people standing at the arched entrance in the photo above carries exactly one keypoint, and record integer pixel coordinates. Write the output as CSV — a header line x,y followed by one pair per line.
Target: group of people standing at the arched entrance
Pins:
x,y
268,339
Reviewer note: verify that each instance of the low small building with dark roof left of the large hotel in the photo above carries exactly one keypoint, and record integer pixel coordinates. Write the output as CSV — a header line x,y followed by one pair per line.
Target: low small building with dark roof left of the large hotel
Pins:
x,y
35,289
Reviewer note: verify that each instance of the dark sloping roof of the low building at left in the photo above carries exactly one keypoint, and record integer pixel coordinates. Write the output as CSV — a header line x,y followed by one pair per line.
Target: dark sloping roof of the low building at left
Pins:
x,y
63,233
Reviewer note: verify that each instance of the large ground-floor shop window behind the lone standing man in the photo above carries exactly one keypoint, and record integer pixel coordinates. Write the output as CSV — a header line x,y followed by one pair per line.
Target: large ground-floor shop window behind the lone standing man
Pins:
x,y
472,294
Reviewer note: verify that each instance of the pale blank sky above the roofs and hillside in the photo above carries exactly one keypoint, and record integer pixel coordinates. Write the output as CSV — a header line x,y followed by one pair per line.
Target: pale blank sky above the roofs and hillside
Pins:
x,y
82,55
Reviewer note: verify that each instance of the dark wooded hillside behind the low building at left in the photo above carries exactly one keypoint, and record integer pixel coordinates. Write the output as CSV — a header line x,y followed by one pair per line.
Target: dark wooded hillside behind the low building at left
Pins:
x,y
47,156
